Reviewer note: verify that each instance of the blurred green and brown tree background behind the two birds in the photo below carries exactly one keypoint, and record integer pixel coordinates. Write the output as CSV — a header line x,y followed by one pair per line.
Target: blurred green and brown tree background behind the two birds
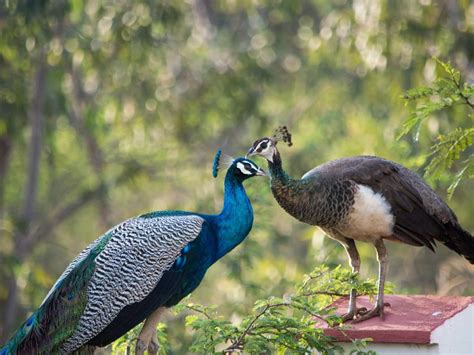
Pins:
x,y
114,108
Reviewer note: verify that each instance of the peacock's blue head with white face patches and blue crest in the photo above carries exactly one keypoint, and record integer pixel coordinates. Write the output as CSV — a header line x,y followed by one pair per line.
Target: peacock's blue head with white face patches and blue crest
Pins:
x,y
242,168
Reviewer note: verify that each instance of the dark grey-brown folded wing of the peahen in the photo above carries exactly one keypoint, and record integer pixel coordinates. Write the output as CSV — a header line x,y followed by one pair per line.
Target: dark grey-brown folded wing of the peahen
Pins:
x,y
420,214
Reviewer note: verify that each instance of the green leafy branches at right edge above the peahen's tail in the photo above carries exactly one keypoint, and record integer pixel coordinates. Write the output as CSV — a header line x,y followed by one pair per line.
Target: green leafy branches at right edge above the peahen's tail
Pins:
x,y
445,92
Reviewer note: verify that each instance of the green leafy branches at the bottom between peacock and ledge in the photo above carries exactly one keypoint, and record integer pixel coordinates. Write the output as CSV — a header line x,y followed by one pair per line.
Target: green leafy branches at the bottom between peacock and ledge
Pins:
x,y
279,325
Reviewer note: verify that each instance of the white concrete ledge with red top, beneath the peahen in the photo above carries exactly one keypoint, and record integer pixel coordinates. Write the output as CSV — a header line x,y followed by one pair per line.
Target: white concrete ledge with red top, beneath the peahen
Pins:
x,y
414,320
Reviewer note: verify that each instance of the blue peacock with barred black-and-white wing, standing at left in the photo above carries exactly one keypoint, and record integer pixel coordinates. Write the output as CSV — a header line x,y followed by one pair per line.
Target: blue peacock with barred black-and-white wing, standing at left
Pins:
x,y
135,271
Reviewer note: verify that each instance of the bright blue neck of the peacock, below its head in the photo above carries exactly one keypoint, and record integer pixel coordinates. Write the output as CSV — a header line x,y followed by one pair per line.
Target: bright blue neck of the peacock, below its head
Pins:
x,y
236,218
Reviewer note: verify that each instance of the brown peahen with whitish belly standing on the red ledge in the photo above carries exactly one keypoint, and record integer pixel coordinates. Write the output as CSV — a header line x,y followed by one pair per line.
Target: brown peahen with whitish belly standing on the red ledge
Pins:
x,y
367,199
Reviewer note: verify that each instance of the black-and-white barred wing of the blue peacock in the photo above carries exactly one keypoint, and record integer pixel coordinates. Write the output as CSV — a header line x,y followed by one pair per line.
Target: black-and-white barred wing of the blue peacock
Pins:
x,y
130,265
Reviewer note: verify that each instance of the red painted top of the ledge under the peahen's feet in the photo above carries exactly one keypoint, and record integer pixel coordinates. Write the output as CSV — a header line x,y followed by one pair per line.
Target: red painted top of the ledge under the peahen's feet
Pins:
x,y
408,320
